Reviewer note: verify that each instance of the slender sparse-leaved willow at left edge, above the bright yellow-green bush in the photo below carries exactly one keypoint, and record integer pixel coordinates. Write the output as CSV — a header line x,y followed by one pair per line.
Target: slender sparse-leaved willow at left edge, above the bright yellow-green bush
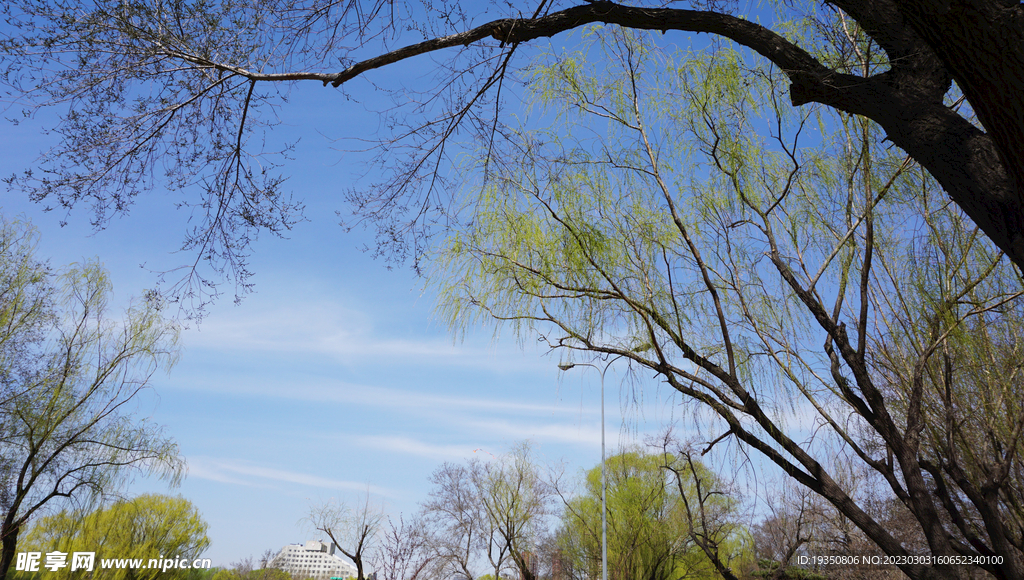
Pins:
x,y
69,378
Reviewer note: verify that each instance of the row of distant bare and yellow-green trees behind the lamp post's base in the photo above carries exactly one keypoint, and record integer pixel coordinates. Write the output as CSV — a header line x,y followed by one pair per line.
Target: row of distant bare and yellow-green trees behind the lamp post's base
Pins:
x,y
669,518
